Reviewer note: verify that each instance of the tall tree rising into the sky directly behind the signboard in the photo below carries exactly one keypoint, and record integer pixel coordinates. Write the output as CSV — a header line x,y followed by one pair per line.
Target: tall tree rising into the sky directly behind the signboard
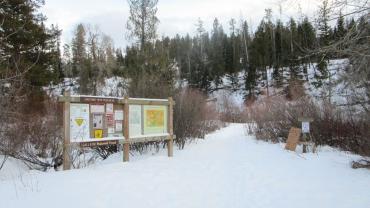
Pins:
x,y
151,71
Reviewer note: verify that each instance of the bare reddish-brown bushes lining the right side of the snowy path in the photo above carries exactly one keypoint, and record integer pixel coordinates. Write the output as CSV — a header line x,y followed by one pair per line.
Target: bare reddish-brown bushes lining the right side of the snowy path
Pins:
x,y
334,126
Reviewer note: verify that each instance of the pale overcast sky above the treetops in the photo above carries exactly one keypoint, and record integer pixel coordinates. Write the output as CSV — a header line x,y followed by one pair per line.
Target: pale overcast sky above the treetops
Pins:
x,y
176,16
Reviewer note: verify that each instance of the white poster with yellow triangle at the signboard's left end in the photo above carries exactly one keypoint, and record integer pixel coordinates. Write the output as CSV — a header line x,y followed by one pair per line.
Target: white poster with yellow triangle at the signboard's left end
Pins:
x,y
79,122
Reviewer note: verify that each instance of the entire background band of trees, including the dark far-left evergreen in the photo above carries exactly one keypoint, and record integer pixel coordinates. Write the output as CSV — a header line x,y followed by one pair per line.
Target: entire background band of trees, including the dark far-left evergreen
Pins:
x,y
238,60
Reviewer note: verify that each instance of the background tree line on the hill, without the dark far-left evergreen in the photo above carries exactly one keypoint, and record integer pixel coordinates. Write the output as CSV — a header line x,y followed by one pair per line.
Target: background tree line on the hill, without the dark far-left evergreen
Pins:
x,y
209,60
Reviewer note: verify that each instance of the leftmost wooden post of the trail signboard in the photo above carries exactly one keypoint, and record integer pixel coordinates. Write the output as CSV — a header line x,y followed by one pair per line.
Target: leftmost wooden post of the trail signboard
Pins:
x,y
66,145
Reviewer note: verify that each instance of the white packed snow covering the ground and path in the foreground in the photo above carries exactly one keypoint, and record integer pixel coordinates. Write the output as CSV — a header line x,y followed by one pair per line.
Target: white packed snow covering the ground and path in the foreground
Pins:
x,y
228,169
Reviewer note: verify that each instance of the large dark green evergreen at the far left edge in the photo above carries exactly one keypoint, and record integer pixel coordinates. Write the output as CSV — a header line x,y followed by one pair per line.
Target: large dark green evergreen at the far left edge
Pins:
x,y
29,51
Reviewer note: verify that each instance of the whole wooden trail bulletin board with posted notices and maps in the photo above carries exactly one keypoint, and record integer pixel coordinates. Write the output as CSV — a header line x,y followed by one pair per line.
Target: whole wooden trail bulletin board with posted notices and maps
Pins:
x,y
92,121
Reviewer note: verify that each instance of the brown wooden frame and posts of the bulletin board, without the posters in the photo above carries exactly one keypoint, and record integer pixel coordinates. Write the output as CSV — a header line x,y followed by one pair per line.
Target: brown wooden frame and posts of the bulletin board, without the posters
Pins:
x,y
67,99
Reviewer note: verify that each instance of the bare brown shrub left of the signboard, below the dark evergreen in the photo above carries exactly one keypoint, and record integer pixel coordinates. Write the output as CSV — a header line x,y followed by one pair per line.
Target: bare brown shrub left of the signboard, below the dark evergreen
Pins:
x,y
35,137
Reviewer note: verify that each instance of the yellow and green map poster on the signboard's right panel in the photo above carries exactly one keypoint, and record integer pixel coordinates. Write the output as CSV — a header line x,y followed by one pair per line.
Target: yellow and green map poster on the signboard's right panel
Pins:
x,y
155,119
